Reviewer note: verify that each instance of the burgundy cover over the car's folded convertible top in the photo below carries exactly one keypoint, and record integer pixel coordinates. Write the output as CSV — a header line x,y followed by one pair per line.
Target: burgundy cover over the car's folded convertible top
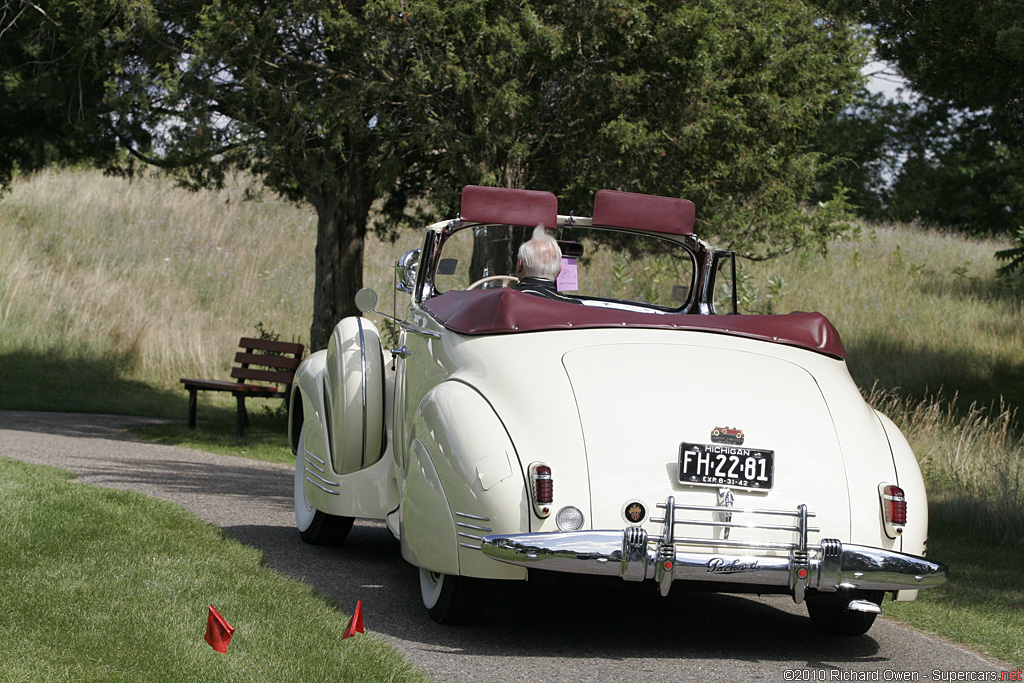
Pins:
x,y
508,311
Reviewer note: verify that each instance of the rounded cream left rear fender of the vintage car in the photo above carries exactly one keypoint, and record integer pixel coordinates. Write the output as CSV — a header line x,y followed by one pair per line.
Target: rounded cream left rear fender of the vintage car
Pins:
x,y
464,481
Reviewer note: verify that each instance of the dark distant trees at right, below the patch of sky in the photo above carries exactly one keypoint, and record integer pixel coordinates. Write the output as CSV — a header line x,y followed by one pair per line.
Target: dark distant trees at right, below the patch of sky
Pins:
x,y
924,161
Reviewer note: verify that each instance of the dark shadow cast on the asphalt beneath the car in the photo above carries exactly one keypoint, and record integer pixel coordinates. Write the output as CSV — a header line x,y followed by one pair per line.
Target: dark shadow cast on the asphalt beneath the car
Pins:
x,y
556,617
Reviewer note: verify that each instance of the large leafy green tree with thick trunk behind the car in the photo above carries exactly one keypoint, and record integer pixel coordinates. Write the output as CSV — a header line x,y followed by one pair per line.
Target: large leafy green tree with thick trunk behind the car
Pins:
x,y
343,105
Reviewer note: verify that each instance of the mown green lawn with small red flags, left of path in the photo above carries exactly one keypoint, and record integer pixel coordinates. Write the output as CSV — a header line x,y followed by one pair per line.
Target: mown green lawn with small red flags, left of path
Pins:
x,y
104,585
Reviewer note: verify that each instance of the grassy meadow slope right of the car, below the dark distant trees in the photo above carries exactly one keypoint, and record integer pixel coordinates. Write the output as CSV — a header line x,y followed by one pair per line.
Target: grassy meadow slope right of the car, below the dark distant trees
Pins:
x,y
918,311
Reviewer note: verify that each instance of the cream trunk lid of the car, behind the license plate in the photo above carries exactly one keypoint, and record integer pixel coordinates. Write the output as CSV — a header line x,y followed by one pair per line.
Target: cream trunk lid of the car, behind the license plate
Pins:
x,y
751,422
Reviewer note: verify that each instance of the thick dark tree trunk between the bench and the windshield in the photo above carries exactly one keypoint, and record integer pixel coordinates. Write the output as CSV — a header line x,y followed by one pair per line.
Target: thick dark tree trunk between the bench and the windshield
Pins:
x,y
343,211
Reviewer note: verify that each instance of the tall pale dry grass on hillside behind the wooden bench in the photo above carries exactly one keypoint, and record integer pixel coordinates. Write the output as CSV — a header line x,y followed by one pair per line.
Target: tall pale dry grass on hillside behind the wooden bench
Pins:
x,y
160,280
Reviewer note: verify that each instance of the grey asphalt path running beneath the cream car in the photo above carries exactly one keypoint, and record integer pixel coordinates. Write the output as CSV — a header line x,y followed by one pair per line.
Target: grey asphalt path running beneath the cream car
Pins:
x,y
537,632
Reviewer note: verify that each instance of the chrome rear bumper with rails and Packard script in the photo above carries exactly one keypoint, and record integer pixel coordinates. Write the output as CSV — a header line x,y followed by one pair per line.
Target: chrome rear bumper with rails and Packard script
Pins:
x,y
633,556
